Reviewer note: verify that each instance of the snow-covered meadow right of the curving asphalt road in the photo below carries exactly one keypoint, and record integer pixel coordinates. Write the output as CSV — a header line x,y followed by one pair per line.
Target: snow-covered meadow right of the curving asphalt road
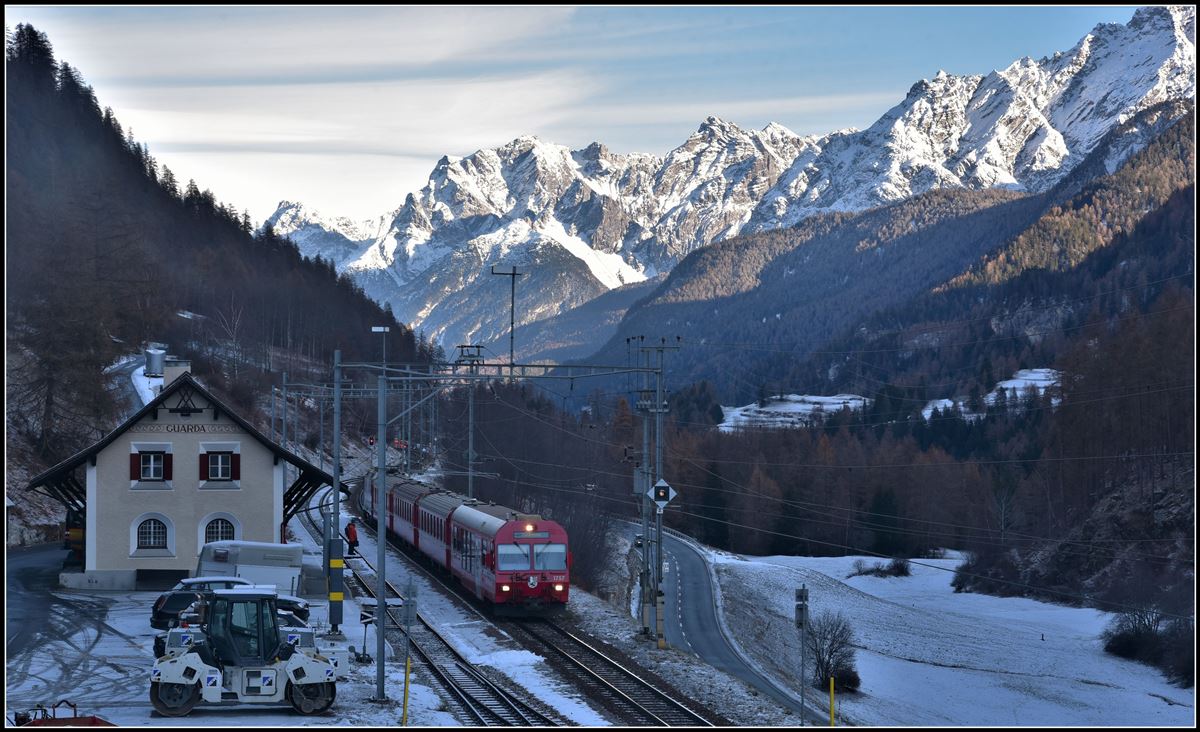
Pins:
x,y
928,656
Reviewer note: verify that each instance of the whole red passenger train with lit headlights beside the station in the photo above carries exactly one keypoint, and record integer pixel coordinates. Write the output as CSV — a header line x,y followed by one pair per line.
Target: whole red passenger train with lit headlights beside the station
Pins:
x,y
518,563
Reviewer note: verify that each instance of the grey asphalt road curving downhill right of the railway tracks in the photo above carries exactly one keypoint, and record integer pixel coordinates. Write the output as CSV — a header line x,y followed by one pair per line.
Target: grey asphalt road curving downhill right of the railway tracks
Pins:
x,y
691,619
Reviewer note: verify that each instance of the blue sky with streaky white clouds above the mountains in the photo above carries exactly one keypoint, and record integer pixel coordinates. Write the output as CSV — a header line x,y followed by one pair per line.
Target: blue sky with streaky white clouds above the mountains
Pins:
x,y
349,109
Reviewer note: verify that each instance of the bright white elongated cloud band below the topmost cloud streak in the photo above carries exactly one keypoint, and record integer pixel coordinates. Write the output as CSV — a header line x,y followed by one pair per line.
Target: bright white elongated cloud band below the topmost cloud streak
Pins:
x,y
427,117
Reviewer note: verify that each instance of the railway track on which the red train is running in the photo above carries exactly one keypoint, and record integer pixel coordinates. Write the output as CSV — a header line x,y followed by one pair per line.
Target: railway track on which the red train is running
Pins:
x,y
617,688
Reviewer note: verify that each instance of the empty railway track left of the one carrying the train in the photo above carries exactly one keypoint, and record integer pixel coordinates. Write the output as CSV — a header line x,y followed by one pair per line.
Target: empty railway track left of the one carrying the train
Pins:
x,y
470,695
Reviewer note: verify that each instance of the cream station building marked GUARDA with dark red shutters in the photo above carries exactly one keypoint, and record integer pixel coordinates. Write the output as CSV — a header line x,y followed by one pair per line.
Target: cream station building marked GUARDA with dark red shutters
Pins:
x,y
184,471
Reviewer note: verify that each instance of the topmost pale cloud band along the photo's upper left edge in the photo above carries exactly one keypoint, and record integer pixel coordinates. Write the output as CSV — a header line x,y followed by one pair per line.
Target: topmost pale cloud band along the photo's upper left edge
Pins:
x,y
148,45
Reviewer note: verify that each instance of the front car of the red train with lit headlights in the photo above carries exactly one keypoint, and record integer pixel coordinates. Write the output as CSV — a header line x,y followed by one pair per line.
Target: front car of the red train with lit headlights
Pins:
x,y
519,563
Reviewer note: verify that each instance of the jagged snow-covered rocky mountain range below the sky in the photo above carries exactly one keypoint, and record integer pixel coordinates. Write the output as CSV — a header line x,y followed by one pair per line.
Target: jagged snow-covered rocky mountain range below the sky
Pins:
x,y
591,220
